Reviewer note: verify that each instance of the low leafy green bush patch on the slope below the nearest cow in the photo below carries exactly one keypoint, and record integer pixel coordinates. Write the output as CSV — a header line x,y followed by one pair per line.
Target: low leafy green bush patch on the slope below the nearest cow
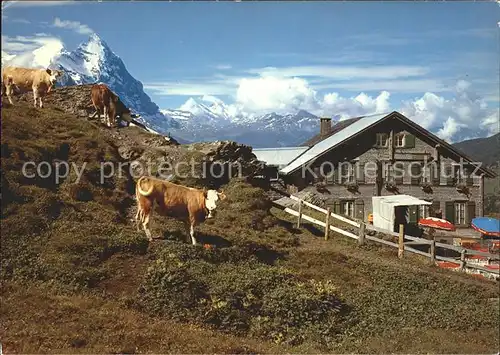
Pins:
x,y
230,290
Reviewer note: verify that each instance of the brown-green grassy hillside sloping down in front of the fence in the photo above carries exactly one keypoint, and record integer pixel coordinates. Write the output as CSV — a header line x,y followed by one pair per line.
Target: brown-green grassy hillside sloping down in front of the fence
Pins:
x,y
77,277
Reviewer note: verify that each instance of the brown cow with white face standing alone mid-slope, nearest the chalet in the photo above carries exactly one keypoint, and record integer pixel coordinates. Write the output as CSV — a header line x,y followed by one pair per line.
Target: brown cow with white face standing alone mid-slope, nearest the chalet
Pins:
x,y
191,205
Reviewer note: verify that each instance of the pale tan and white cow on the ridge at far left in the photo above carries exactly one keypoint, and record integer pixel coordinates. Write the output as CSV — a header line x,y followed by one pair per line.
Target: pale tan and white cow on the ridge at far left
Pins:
x,y
41,81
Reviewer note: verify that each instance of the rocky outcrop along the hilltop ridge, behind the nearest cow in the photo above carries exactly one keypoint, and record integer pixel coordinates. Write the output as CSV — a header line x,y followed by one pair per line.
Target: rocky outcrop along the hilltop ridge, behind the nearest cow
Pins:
x,y
197,164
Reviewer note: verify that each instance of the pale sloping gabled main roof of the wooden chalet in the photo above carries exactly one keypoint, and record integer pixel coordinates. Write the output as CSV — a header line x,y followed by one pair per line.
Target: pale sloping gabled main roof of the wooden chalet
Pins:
x,y
360,125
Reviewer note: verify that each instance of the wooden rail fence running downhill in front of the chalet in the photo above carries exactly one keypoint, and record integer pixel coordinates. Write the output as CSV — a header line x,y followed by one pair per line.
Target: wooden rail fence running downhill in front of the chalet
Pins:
x,y
402,245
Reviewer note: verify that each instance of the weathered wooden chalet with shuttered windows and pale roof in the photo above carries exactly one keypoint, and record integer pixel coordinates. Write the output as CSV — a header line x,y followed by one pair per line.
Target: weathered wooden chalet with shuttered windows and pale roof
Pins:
x,y
355,159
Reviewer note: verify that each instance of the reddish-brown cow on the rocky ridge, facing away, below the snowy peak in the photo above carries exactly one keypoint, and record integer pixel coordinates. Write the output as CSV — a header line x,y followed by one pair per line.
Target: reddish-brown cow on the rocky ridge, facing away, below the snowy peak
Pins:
x,y
107,102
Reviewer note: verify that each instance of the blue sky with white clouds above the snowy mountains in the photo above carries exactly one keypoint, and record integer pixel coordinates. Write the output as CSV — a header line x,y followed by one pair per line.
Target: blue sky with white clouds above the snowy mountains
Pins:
x,y
181,50
